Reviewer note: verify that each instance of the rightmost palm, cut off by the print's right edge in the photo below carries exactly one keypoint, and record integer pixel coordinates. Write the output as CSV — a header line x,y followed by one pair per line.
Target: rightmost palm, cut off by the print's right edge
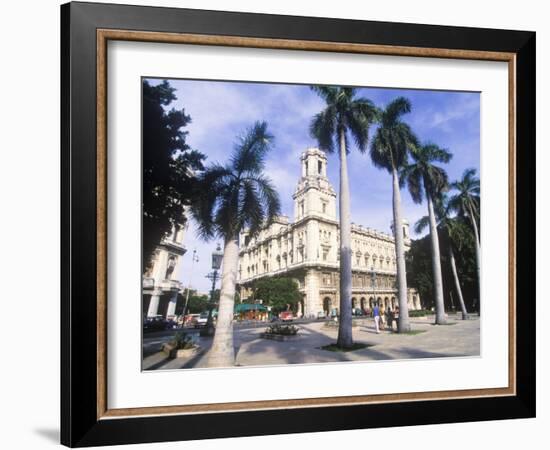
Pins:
x,y
466,202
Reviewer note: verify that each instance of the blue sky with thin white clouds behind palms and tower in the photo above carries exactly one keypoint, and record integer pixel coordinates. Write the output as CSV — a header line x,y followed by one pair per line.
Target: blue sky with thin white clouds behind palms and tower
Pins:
x,y
222,110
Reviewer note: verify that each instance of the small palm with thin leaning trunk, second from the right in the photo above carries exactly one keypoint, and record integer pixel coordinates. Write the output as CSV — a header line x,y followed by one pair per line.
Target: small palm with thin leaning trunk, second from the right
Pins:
x,y
456,237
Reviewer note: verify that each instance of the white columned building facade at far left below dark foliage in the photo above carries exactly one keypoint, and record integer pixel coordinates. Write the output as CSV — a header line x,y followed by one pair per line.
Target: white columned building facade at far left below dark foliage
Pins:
x,y
160,286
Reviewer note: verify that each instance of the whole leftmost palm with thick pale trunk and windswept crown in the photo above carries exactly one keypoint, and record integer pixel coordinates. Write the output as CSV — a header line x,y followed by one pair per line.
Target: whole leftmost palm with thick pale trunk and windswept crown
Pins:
x,y
235,196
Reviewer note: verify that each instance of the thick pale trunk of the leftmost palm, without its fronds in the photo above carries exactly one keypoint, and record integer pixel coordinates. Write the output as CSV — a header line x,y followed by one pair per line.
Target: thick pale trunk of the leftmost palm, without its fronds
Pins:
x,y
222,353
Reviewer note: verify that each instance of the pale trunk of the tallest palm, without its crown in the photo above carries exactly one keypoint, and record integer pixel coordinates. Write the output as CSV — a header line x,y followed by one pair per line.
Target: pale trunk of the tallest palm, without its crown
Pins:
x,y
345,338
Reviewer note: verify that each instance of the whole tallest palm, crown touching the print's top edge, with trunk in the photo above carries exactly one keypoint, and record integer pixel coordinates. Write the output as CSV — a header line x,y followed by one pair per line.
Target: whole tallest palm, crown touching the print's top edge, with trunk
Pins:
x,y
345,114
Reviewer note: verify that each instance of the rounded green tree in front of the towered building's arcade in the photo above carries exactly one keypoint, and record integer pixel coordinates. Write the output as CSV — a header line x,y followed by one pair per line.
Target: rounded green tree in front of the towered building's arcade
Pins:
x,y
281,293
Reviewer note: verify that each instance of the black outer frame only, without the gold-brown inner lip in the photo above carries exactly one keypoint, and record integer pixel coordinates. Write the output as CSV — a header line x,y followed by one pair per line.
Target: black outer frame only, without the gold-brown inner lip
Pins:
x,y
79,423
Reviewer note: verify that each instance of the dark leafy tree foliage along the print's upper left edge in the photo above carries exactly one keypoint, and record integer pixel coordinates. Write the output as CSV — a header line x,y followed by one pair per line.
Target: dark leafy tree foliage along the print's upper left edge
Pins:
x,y
169,184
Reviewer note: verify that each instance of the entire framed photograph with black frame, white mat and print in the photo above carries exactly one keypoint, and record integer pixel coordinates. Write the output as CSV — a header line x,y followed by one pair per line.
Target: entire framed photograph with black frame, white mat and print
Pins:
x,y
276,224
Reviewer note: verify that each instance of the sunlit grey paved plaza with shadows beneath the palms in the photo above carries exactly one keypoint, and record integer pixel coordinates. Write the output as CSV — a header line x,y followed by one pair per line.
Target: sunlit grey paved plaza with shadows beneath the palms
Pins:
x,y
459,338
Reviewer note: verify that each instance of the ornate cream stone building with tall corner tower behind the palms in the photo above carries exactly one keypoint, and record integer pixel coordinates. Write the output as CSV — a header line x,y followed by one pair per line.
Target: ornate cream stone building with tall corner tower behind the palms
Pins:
x,y
308,250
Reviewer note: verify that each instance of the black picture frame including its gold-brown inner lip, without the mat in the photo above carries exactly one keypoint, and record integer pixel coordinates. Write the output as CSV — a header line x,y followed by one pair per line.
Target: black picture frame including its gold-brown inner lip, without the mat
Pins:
x,y
86,418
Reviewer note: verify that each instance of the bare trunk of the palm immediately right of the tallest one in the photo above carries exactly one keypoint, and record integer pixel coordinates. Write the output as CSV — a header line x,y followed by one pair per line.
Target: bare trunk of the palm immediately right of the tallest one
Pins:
x,y
403,324
